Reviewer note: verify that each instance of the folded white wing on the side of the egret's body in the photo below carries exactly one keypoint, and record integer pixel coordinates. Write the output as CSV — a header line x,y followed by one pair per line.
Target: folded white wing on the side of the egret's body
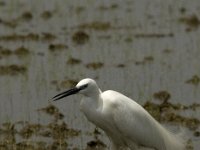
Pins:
x,y
133,122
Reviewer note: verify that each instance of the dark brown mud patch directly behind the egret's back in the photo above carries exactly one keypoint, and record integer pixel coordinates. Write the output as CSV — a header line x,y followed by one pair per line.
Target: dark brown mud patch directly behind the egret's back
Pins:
x,y
168,112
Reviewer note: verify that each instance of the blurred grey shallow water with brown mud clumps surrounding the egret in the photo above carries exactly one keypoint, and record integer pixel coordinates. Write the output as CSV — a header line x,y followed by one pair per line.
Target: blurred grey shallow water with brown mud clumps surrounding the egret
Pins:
x,y
147,50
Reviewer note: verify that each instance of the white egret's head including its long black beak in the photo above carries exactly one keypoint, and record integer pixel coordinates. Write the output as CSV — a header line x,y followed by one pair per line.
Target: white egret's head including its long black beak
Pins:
x,y
87,87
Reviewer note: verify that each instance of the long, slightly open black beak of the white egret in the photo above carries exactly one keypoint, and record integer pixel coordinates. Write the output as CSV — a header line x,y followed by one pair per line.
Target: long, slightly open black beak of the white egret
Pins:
x,y
66,93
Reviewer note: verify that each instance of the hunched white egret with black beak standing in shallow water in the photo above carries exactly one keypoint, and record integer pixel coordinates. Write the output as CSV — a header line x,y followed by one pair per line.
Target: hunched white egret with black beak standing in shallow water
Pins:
x,y
127,124
